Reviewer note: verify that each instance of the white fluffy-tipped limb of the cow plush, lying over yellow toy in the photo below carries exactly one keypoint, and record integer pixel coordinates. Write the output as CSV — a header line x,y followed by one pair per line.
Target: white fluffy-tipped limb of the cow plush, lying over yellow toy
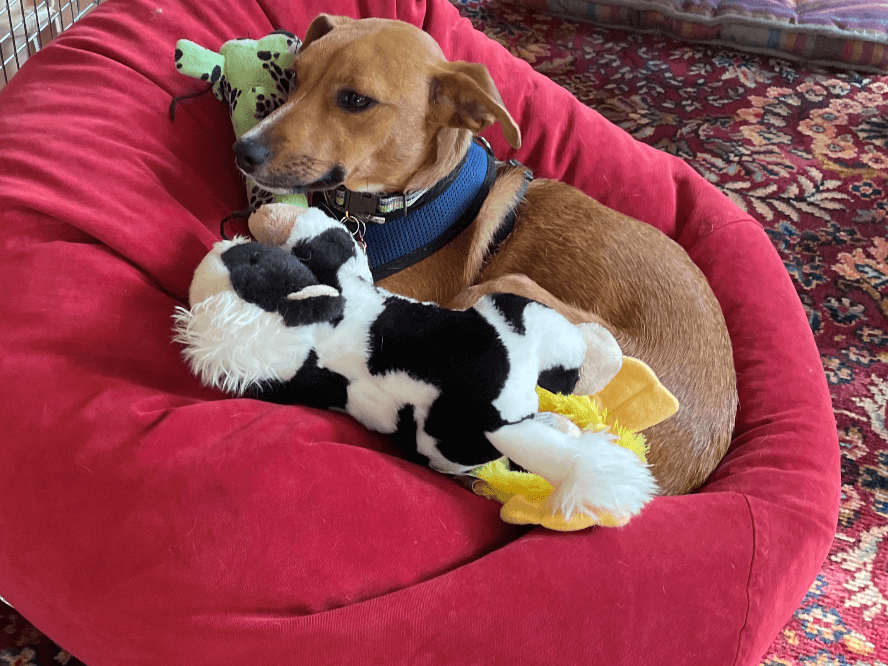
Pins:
x,y
589,472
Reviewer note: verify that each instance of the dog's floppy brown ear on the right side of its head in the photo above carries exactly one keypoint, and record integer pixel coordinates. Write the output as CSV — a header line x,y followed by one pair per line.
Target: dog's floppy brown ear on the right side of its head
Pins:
x,y
463,95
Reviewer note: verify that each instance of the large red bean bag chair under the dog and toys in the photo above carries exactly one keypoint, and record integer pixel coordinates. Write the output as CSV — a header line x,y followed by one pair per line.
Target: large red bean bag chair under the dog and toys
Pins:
x,y
148,520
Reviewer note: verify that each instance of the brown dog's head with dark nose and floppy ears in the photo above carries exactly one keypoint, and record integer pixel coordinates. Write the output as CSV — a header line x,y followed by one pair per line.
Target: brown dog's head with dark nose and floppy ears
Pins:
x,y
375,107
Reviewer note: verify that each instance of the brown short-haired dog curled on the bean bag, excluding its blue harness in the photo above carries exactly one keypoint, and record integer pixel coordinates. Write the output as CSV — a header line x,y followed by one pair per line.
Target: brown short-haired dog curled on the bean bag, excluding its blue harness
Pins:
x,y
377,108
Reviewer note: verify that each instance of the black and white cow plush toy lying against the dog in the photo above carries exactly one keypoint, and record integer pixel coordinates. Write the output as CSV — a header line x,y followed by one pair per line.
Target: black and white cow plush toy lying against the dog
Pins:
x,y
303,323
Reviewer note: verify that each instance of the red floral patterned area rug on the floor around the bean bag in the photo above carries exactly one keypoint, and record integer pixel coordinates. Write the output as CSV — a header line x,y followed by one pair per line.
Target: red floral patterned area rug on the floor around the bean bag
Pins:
x,y
803,150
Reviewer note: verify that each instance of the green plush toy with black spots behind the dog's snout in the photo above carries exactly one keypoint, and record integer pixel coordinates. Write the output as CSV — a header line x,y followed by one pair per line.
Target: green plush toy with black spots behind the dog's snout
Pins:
x,y
254,78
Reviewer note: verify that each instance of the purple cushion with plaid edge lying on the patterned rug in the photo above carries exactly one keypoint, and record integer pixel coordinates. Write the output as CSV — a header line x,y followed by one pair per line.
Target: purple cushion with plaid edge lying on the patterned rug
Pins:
x,y
843,33
